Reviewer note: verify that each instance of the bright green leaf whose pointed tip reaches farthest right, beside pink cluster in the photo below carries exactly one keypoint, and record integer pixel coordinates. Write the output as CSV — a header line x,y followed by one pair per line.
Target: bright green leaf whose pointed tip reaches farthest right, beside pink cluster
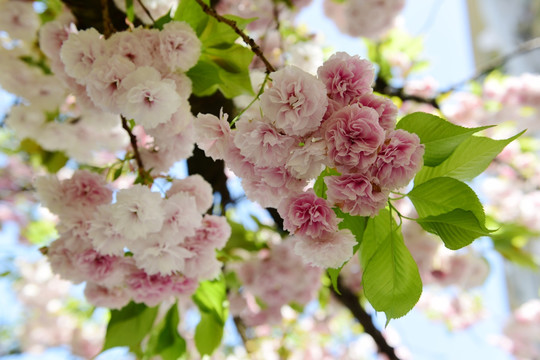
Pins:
x,y
468,160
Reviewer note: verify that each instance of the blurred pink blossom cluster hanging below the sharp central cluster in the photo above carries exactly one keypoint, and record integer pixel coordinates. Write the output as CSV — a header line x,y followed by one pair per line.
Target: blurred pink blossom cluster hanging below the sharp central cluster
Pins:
x,y
291,281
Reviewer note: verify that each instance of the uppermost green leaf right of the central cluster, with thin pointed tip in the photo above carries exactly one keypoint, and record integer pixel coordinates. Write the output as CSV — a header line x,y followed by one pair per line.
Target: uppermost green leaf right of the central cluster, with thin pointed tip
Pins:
x,y
439,136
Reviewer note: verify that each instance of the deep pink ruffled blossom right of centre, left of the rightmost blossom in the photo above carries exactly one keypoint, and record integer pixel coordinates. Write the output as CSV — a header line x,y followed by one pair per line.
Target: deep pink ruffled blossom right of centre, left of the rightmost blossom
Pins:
x,y
353,136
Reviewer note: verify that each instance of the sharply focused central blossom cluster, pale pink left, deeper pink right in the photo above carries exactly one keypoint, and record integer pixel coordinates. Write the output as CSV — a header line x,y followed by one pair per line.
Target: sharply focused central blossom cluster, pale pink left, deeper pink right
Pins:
x,y
304,123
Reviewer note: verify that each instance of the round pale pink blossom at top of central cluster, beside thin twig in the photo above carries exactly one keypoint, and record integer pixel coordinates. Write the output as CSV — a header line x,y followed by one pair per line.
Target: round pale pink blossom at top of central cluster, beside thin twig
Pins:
x,y
296,102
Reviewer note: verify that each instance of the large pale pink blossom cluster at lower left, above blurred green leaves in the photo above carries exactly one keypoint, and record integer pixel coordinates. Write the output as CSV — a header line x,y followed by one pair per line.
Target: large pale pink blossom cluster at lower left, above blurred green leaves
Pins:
x,y
141,247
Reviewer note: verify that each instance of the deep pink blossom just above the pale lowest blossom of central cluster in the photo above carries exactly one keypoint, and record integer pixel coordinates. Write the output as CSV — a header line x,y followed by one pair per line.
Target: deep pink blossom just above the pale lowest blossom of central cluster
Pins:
x,y
307,214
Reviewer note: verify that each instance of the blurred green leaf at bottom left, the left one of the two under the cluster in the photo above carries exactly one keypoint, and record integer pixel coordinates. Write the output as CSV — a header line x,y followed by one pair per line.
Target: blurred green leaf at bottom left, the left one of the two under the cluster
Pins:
x,y
129,326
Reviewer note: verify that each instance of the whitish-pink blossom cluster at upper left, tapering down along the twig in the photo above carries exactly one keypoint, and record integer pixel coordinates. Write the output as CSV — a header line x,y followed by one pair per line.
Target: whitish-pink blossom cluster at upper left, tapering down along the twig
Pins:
x,y
139,74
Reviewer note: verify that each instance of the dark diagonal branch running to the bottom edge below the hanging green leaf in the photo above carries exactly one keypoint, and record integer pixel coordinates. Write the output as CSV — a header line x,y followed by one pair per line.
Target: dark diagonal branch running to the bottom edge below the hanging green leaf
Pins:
x,y
350,301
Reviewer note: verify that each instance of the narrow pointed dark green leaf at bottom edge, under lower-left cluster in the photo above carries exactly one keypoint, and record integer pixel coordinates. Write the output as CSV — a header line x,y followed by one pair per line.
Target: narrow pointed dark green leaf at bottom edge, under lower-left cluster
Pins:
x,y
166,341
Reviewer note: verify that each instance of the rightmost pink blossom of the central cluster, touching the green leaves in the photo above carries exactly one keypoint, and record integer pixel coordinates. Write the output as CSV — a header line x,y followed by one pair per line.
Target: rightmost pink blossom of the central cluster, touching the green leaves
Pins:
x,y
400,158
